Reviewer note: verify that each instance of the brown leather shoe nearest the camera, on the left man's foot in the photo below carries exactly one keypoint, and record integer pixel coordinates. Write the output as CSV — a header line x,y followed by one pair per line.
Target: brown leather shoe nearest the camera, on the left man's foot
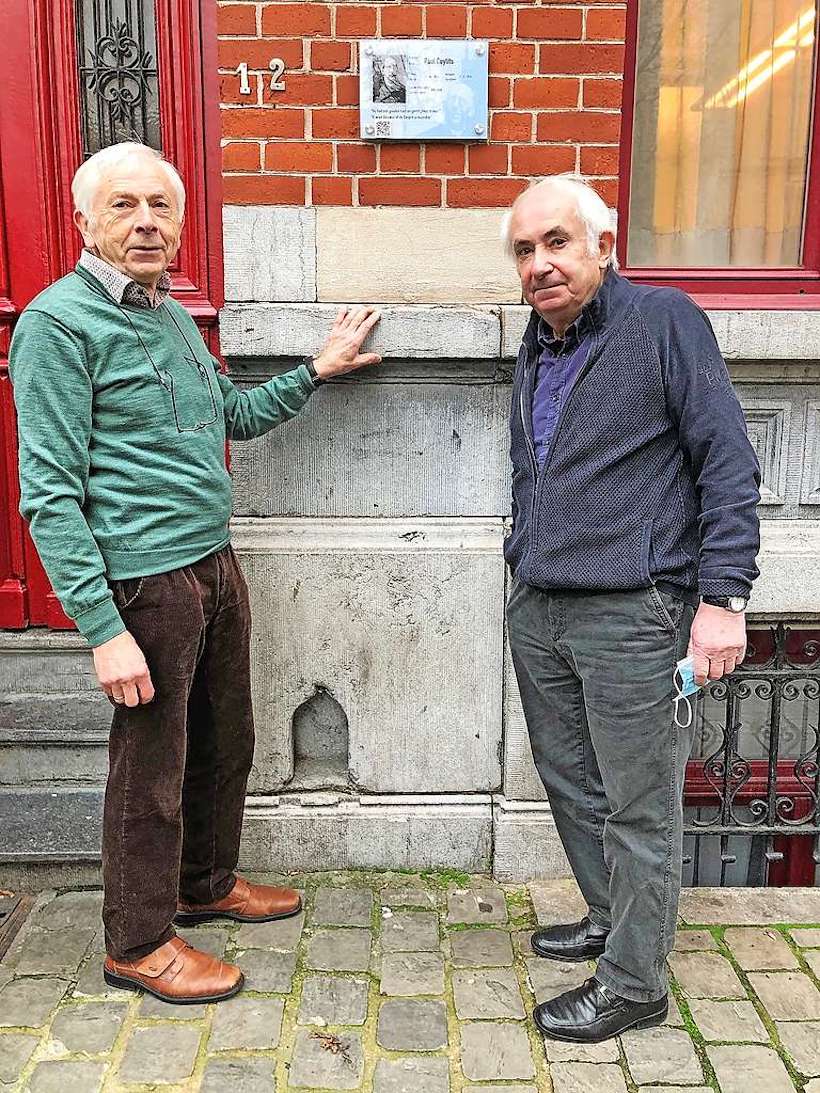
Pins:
x,y
177,973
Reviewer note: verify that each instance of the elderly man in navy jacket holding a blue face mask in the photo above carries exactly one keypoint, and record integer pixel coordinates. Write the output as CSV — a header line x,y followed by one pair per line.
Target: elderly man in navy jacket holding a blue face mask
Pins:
x,y
634,547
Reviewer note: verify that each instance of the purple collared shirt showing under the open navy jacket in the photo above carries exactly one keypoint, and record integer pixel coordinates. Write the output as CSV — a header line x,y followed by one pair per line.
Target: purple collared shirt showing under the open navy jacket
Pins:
x,y
558,368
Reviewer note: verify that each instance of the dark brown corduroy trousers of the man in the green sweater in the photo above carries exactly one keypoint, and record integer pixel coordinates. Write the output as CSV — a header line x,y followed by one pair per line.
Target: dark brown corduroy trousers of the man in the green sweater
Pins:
x,y
179,766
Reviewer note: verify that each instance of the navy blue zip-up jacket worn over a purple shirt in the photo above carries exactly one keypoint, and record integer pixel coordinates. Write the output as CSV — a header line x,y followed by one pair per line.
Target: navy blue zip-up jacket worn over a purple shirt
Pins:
x,y
650,476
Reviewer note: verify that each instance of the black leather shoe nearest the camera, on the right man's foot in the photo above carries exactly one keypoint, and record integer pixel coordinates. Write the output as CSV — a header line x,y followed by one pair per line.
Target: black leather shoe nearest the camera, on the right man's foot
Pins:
x,y
590,1014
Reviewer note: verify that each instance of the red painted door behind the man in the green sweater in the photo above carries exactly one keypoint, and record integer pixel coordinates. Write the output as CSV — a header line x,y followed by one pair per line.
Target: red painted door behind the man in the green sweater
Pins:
x,y
79,75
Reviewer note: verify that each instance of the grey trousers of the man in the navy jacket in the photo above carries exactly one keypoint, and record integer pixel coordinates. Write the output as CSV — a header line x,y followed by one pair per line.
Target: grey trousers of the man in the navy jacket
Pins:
x,y
595,675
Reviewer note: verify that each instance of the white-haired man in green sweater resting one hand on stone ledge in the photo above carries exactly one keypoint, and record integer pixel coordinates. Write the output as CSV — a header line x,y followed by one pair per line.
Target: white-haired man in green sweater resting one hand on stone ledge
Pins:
x,y
123,420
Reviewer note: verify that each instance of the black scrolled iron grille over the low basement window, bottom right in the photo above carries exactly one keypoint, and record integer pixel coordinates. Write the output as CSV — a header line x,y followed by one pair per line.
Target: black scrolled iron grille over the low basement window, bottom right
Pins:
x,y
754,783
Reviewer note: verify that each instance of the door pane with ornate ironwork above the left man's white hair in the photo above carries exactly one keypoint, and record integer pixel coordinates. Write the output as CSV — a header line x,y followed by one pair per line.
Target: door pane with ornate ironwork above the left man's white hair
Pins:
x,y
116,46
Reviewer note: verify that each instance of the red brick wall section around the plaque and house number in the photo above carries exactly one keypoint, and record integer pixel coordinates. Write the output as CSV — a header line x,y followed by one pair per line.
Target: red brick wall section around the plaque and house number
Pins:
x,y
556,79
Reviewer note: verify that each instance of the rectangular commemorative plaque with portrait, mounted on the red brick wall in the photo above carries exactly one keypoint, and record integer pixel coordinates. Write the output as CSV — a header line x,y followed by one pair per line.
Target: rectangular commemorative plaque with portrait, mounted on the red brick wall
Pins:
x,y
424,89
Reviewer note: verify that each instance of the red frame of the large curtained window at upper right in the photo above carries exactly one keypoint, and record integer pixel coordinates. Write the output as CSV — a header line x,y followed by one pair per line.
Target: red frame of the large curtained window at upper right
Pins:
x,y
730,288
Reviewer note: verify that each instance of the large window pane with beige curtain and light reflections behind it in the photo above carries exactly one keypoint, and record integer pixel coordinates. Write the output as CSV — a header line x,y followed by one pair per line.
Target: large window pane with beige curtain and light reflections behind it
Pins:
x,y
722,127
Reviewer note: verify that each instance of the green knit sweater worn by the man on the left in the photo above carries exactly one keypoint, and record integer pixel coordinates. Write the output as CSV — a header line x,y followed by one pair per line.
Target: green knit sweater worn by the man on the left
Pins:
x,y
123,417
